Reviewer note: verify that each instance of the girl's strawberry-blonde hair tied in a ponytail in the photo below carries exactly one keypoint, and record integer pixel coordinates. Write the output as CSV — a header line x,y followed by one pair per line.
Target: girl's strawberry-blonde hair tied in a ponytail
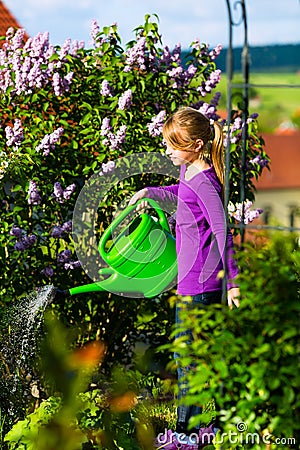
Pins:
x,y
182,130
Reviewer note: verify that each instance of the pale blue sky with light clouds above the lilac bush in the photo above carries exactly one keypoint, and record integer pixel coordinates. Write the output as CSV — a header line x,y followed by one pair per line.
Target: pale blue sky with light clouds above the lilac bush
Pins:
x,y
180,21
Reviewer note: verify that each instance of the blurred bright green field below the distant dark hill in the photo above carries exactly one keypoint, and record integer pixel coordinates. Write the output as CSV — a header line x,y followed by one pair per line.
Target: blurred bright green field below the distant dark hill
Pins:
x,y
274,104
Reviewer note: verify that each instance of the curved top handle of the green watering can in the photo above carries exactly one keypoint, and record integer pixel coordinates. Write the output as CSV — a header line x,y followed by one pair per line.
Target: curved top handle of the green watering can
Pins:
x,y
161,218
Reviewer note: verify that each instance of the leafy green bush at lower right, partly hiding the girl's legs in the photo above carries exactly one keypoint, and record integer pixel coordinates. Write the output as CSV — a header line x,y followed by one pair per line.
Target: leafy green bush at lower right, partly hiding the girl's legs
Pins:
x,y
247,358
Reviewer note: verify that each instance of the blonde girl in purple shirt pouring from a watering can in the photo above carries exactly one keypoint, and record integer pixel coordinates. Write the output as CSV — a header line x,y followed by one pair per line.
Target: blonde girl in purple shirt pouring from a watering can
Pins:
x,y
203,240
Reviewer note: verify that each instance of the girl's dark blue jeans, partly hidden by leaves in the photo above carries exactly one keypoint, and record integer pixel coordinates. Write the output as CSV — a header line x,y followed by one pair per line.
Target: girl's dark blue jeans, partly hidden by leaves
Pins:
x,y
184,413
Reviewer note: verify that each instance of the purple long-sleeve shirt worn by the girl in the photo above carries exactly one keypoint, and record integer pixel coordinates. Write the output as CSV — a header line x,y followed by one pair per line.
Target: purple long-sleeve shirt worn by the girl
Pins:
x,y
201,232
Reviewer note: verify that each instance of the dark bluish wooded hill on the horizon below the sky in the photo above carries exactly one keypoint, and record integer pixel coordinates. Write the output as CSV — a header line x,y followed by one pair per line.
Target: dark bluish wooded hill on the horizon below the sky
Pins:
x,y
269,58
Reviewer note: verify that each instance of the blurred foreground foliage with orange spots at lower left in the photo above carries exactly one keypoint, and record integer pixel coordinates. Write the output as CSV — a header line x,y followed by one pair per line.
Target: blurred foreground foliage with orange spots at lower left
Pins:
x,y
80,415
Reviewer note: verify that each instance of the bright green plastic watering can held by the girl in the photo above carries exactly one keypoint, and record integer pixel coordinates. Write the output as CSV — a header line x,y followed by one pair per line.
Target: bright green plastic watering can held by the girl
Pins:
x,y
141,257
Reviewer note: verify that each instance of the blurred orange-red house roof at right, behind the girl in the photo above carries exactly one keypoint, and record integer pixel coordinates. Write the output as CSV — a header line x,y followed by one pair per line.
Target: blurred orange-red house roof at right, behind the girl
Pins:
x,y
284,151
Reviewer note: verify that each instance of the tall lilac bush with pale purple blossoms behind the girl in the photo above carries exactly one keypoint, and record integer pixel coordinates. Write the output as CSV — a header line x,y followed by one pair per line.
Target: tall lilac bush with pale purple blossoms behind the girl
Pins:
x,y
68,111
